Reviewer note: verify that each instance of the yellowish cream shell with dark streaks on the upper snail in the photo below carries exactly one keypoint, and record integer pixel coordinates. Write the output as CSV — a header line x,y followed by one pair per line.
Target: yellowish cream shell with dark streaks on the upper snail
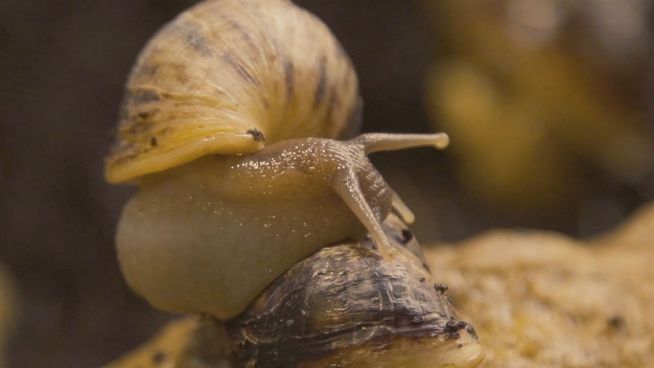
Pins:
x,y
226,75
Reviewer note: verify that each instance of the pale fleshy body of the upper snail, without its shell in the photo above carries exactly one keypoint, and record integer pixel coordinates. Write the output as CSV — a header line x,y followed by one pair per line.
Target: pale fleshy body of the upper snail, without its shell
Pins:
x,y
208,236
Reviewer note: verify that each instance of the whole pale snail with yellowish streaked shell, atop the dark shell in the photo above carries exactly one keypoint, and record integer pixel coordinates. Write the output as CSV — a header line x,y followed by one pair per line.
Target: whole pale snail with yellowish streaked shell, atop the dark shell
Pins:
x,y
228,128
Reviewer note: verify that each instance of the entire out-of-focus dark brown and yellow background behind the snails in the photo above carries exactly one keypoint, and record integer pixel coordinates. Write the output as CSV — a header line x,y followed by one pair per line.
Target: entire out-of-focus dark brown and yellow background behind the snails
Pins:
x,y
548,104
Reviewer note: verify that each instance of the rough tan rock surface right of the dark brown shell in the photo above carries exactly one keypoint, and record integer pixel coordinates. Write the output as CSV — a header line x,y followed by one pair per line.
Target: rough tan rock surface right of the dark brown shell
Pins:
x,y
540,299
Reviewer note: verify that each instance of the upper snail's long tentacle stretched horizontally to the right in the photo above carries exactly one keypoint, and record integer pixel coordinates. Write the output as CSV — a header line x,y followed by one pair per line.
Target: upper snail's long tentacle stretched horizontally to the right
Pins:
x,y
375,142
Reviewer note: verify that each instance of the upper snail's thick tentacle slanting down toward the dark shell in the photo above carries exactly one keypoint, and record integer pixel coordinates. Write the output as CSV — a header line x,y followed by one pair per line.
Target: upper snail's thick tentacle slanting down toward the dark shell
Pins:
x,y
348,188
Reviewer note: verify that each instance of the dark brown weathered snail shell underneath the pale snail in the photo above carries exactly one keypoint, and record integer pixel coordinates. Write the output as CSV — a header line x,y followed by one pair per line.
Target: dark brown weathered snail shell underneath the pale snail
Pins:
x,y
345,306
